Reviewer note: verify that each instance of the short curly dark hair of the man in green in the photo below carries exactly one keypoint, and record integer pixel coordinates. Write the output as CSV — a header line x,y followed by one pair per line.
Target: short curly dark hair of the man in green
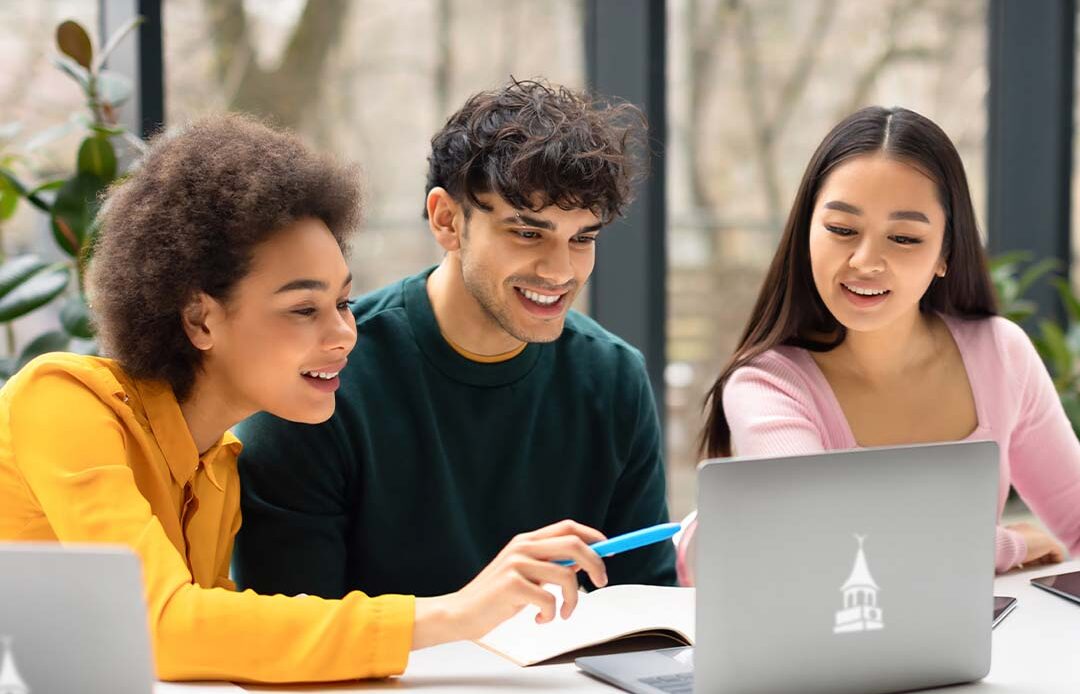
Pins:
x,y
537,145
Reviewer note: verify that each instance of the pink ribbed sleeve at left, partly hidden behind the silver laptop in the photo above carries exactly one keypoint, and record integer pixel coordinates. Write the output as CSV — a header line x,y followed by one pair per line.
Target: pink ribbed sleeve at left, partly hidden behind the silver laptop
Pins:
x,y
771,413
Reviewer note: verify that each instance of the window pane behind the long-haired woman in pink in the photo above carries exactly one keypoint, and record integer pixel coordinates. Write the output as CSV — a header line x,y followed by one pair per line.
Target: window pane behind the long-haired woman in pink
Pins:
x,y
754,86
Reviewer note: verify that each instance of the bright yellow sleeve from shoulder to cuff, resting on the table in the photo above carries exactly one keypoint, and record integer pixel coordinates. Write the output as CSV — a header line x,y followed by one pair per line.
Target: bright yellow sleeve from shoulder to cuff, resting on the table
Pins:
x,y
82,479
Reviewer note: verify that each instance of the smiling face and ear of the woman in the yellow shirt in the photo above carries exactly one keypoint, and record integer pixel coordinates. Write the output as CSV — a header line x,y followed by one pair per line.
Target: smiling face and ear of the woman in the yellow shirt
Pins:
x,y
283,336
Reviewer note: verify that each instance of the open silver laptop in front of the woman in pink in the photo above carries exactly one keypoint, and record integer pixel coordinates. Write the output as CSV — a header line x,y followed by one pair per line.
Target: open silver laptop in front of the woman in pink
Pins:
x,y
866,571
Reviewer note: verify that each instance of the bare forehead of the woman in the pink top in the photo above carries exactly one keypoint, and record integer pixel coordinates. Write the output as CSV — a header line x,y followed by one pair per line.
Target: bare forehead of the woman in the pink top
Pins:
x,y
881,183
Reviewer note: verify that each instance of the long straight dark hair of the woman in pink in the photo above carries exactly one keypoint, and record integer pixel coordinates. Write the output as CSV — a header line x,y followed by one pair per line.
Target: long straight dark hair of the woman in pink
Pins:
x,y
789,309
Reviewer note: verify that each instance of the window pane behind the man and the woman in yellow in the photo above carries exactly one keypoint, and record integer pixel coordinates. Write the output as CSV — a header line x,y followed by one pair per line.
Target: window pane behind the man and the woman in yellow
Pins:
x,y
372,80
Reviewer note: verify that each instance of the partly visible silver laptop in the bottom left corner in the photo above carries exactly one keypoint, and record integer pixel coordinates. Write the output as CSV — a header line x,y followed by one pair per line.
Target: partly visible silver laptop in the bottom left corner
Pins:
x,y
73,620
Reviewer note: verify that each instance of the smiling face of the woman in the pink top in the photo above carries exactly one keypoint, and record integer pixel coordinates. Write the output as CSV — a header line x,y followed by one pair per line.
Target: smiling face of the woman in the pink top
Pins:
x,y
876,241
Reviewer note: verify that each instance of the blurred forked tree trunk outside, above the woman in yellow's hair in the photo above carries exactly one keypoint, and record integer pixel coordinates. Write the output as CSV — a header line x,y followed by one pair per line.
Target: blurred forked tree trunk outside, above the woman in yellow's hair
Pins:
x,y
291,90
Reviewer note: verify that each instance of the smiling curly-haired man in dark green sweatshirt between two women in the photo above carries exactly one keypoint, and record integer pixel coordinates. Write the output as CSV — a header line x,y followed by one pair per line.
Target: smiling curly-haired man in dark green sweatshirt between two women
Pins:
x,y
477,404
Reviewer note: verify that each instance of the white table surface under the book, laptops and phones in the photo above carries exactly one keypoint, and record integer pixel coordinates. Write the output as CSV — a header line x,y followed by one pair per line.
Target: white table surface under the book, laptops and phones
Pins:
x,y
1036,651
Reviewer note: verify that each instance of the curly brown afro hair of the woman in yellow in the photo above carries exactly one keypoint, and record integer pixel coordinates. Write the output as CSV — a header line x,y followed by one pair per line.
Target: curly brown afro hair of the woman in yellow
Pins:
x,y
190,220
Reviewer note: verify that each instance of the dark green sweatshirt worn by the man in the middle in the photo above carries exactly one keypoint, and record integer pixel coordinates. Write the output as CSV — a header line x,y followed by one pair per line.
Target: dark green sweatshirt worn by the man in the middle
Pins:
x,y
434,462
